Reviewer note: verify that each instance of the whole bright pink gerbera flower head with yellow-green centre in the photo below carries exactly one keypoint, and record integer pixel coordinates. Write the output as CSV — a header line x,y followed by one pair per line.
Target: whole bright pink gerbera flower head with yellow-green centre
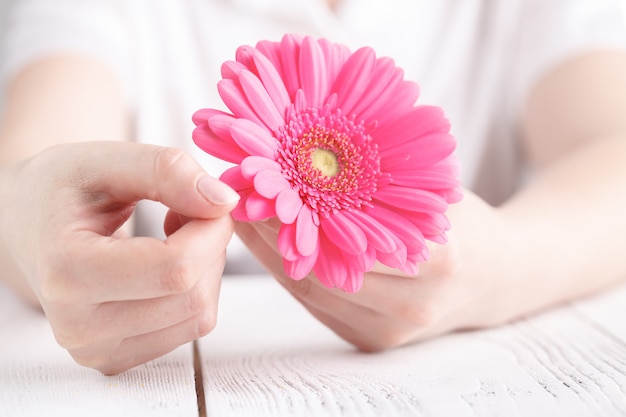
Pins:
x,y
332,144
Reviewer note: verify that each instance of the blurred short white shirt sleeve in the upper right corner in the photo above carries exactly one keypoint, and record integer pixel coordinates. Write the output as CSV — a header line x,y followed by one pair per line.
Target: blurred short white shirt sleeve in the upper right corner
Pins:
x,y
553,31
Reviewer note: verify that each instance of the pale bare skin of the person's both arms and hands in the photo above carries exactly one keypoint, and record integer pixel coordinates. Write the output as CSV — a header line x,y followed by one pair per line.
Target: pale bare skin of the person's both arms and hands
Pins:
x,y
116,301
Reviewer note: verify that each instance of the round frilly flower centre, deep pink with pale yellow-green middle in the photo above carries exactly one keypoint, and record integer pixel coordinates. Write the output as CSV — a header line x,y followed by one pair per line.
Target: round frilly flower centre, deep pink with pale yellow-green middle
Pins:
x,y
329,159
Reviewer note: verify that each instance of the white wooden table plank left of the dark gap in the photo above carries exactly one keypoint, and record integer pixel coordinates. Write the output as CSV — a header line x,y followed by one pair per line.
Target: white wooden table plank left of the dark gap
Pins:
x,y
38,378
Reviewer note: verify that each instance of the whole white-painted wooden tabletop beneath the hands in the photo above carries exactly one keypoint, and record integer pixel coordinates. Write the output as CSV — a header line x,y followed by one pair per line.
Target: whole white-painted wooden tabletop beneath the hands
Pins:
x,y
268,357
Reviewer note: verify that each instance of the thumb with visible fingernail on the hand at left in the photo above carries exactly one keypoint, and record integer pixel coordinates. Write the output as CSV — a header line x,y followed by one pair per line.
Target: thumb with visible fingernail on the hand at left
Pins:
x,y
130,172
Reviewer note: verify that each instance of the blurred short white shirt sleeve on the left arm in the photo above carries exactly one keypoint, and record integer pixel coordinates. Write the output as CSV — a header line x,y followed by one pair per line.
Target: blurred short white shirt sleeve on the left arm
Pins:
x,y
36,29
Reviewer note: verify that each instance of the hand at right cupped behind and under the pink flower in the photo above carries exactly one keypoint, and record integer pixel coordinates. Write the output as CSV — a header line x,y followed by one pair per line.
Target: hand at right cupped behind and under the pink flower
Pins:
x,y
464,284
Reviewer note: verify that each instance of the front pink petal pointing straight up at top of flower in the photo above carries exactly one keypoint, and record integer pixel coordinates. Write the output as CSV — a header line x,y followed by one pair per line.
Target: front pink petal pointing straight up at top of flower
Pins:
x,y
313,75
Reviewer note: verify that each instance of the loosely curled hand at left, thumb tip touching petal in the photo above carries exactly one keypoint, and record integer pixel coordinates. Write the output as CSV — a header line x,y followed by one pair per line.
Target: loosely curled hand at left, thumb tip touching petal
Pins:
x,y
115,301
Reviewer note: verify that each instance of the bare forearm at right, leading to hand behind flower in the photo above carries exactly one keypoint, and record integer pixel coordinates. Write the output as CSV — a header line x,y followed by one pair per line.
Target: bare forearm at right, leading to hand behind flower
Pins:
x,y
568,225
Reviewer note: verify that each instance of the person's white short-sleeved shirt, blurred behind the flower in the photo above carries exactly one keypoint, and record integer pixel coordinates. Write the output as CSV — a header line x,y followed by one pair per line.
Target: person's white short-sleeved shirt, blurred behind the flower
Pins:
x,y
476,59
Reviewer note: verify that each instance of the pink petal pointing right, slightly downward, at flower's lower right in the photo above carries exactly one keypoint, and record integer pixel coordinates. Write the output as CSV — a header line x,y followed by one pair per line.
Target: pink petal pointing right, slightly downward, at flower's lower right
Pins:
x,y
411,199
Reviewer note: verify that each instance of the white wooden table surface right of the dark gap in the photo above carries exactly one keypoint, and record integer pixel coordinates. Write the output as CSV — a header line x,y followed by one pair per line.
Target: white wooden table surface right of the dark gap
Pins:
x,y
268,357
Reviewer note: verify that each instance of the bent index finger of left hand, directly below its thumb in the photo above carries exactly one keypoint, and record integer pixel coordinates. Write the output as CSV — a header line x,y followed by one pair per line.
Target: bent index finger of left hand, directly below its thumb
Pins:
x,y
107,269
